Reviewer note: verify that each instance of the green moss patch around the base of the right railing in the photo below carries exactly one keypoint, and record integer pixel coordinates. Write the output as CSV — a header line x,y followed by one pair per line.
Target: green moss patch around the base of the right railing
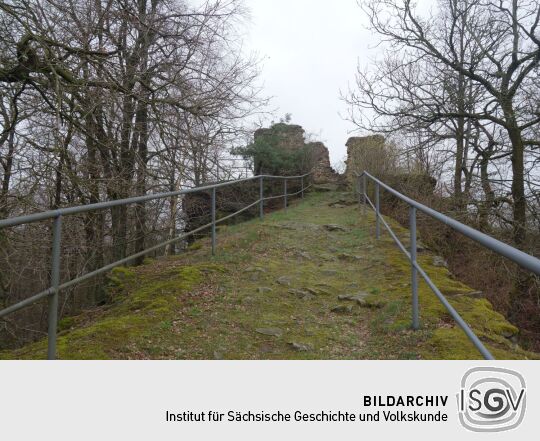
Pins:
x,y
442,339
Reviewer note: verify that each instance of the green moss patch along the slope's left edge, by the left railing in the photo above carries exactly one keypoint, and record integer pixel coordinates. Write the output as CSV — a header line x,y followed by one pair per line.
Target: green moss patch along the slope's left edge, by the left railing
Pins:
x,y
120,330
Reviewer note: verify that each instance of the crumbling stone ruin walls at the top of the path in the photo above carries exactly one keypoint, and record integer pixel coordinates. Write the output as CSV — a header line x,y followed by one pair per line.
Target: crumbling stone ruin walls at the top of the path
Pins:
x,y
363,153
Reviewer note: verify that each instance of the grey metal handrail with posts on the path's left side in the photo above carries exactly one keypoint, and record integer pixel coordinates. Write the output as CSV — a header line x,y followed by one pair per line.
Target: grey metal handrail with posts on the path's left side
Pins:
x,y
53,291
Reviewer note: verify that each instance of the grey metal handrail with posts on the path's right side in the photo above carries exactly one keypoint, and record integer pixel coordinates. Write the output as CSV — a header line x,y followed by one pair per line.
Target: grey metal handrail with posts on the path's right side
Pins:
x,y
523,259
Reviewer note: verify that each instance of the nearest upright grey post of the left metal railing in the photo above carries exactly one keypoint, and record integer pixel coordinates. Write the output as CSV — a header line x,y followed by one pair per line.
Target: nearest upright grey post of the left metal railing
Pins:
x,y
55,283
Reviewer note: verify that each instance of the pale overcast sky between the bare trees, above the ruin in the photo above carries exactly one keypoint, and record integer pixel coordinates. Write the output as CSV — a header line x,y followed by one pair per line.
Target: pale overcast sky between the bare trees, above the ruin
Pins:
x,y
310,51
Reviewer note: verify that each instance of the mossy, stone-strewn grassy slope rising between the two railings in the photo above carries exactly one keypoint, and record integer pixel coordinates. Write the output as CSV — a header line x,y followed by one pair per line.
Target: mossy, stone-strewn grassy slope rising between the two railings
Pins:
x,y
278,289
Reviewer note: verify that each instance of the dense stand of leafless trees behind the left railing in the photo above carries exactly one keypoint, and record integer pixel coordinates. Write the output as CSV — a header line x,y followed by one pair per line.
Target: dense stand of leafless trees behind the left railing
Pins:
x,y
108,99
